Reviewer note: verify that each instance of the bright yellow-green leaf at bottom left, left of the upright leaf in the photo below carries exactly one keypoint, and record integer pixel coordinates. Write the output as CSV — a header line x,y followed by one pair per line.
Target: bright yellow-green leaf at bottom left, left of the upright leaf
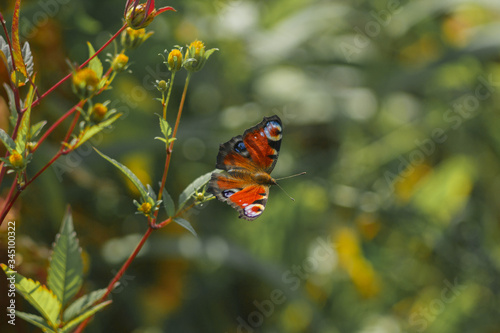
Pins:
x,y
38,295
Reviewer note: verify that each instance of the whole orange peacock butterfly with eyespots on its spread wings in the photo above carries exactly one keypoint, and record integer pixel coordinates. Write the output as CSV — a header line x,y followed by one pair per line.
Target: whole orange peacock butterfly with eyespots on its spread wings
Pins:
x,y
247,161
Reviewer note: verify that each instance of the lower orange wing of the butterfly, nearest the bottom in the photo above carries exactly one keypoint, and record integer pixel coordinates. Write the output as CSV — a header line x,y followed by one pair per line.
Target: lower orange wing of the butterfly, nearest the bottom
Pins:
x,y
238,190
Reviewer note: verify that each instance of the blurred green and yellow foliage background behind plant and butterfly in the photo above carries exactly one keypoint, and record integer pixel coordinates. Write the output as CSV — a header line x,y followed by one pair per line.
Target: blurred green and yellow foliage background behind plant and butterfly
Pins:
x,y
389,106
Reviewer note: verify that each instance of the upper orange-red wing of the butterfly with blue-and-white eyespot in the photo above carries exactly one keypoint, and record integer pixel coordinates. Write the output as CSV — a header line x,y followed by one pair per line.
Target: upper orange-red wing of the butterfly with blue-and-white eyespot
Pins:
x,y
256,150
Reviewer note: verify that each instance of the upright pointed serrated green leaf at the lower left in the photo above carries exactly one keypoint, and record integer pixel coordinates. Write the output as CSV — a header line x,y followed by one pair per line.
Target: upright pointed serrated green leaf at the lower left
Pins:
x,y
66,263
